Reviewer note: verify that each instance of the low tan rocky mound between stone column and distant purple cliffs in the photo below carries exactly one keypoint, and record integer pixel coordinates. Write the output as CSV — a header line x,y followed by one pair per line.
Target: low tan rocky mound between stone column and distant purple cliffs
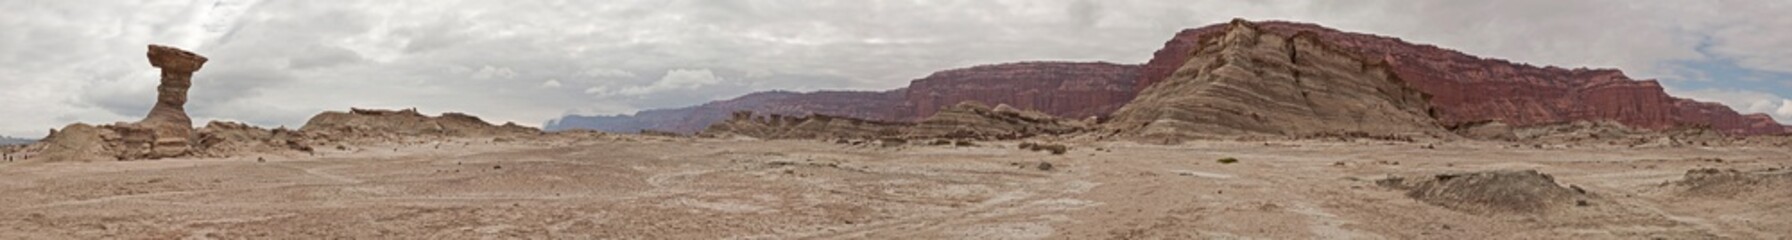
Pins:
x,y
406,123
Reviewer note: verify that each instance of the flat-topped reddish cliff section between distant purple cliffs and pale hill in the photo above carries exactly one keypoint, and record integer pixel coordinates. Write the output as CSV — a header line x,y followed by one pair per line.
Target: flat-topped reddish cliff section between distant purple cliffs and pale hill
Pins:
x,y
1069,90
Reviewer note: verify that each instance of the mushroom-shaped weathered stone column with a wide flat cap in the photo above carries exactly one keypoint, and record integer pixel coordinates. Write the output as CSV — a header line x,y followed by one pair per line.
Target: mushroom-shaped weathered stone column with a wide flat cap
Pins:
x,y
169,126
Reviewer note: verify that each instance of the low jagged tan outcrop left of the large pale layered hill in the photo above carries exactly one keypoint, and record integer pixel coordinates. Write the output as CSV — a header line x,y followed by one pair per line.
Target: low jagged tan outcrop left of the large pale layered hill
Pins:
x,y
967,121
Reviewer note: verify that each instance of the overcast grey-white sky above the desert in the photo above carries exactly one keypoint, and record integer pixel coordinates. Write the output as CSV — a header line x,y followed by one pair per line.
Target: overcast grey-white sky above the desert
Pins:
x,y
277,64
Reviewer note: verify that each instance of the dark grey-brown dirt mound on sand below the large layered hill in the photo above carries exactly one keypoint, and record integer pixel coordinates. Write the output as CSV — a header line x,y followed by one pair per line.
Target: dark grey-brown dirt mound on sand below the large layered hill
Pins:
x,y
1492,193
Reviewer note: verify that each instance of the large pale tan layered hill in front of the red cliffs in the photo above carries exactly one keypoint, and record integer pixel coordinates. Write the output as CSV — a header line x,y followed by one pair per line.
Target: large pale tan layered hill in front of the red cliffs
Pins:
x,y
1250,83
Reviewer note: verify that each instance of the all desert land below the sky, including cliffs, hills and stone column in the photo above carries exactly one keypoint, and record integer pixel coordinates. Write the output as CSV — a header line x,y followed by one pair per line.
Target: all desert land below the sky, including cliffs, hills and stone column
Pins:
x,y
1232,132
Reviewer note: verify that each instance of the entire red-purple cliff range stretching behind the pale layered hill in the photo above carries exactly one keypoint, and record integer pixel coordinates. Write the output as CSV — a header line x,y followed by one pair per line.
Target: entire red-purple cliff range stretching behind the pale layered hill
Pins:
x,y
1463,90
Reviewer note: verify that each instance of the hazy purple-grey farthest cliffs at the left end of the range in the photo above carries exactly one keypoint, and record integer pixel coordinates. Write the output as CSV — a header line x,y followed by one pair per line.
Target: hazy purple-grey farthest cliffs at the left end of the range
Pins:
x,y
854,105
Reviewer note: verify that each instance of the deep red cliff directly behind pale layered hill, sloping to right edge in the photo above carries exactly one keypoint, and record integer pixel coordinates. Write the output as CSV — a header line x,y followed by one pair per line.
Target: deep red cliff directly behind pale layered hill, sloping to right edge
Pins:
x,y
1467,89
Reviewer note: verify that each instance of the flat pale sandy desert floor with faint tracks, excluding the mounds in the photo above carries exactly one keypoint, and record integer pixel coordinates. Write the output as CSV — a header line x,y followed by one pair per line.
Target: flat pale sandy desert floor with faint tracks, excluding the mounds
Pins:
x,y
734,189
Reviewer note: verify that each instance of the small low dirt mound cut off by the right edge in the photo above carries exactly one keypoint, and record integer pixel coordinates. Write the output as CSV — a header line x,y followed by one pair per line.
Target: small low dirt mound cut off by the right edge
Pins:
x,y
1734,184
